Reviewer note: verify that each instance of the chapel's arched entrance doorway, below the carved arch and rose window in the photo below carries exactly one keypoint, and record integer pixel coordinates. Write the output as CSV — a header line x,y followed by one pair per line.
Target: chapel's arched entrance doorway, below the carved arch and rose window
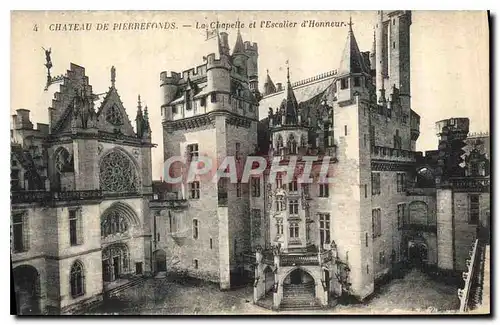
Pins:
x,y
115,262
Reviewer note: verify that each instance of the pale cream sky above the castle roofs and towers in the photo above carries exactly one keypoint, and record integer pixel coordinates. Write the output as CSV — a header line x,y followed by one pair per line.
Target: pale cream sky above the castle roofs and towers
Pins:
x,y
449,58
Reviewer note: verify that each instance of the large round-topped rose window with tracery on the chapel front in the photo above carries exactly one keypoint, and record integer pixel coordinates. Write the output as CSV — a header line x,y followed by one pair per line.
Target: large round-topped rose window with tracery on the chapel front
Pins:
x,y
118,173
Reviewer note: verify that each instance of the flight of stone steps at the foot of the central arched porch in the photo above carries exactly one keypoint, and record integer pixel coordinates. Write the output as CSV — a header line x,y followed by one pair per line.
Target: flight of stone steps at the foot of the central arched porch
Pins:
x,y
299,297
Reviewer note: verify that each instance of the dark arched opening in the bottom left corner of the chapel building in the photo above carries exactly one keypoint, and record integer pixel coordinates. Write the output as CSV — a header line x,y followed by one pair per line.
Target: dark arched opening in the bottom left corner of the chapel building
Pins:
x,y
27,289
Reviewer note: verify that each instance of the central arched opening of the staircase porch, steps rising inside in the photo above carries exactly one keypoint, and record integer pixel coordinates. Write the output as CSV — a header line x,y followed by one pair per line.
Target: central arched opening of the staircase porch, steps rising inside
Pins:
x,y
298,289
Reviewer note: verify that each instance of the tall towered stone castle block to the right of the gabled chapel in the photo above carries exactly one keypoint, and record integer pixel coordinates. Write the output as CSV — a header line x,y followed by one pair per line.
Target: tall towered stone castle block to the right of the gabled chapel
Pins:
x,y
386,206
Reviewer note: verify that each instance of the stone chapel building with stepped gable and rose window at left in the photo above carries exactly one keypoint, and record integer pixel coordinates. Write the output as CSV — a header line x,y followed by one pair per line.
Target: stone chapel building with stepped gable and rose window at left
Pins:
x,y
80,187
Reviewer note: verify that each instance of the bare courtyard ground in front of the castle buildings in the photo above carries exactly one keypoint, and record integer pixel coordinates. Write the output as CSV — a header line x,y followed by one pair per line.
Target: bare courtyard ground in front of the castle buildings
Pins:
x,y
416,292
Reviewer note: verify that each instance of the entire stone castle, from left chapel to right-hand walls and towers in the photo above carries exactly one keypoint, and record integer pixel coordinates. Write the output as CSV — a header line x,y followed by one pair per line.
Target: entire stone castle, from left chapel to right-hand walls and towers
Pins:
x,y
298,245
